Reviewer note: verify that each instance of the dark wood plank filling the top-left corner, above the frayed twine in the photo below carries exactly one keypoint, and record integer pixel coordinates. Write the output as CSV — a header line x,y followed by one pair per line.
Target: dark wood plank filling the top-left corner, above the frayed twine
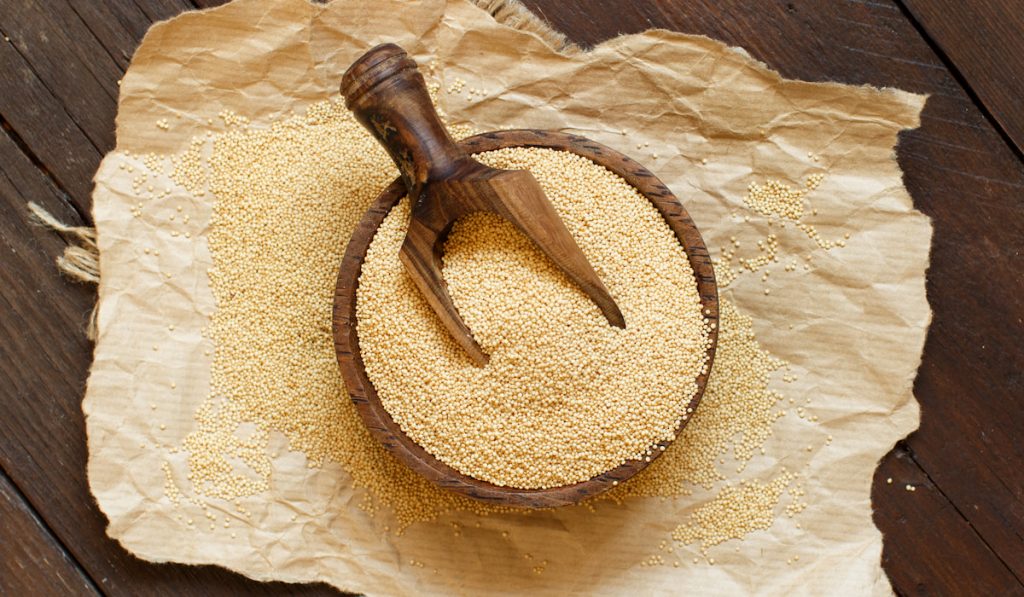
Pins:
x,y
66,59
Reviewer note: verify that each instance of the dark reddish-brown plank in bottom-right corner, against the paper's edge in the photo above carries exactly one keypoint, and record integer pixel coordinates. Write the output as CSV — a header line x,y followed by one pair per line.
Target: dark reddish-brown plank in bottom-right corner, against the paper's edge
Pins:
x,y
907,539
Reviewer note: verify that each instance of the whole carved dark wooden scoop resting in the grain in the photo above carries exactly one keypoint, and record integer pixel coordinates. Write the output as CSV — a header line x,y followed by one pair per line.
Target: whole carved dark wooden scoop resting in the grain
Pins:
x,y
389,96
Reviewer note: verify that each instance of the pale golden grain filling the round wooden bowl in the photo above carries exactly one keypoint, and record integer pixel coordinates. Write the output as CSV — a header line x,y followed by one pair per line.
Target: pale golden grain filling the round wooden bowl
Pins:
x,y
566,397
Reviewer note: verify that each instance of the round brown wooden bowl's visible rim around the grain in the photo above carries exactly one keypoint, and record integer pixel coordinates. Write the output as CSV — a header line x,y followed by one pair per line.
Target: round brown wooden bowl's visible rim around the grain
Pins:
x,y
347,337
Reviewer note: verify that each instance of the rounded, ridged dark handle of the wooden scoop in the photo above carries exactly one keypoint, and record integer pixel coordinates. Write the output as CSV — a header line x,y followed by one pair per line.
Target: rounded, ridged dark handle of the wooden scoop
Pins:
x,y
389,96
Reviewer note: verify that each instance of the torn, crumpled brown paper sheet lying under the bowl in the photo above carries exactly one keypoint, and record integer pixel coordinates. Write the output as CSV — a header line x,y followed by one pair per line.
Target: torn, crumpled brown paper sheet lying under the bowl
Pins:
x,y
854,326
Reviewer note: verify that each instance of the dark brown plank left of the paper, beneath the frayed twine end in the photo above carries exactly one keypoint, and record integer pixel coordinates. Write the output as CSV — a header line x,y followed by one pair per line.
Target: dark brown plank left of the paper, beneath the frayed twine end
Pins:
x,y
45,361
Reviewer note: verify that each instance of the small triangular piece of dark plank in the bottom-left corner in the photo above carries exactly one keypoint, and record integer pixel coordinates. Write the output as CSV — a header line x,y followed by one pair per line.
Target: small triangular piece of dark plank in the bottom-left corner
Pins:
x,y
32,563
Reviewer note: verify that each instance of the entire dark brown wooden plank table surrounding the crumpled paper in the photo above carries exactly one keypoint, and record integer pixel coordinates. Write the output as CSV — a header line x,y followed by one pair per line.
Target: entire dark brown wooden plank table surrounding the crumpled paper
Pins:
x,y
961,533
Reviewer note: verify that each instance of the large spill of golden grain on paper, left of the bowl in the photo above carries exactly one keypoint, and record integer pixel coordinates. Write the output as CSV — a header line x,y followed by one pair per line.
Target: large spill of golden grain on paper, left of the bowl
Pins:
x,y
287,200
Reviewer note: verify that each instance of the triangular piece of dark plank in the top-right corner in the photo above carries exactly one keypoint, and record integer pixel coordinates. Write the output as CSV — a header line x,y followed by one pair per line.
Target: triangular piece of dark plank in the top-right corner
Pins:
x,y
986,42
